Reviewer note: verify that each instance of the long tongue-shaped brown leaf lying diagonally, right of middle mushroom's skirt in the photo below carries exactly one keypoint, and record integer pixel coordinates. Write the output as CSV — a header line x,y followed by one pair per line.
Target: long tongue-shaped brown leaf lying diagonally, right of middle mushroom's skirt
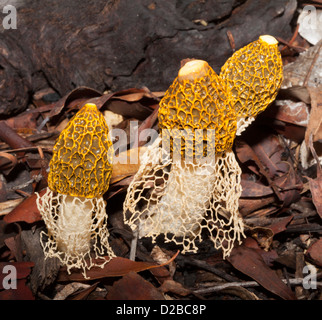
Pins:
x,y
249,262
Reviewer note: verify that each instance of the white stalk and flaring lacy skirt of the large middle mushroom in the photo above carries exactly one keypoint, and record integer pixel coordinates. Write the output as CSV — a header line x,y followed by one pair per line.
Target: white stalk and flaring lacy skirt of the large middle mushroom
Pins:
x,y
194,197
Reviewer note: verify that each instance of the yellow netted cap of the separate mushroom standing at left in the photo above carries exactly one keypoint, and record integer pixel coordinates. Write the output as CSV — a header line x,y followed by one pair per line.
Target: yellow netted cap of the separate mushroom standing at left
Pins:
x,y
82,156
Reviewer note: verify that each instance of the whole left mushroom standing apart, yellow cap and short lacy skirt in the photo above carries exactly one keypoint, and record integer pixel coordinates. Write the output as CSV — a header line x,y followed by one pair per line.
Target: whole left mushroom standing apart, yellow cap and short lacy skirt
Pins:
x,y
72,207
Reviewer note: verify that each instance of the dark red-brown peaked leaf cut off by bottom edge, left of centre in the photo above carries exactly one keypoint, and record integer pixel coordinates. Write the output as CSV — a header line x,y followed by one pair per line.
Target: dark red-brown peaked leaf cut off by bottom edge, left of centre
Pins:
x,y
133,287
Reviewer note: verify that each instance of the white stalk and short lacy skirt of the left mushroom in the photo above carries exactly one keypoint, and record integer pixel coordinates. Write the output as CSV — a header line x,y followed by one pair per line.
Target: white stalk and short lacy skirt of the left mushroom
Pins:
x,y
75,225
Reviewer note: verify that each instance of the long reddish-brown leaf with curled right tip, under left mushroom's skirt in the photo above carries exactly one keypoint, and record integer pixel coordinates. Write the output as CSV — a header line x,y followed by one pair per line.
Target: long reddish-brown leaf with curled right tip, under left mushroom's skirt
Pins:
x,y
117,267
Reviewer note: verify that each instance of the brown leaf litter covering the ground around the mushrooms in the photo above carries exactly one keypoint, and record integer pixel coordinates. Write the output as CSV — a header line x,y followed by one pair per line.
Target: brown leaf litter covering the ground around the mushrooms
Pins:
x,y
280,155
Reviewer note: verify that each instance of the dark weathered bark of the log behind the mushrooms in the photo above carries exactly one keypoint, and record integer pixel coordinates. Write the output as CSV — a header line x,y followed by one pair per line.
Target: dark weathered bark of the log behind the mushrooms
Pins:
x,y
120,44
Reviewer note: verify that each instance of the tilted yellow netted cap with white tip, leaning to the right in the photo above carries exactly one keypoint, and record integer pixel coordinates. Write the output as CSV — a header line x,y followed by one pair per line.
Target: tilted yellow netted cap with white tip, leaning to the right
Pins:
x,y
253,75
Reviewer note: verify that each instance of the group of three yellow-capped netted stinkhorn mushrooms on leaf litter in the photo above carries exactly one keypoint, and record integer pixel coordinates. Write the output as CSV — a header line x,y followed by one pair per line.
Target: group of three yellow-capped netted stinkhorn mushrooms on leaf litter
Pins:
x,y
180,189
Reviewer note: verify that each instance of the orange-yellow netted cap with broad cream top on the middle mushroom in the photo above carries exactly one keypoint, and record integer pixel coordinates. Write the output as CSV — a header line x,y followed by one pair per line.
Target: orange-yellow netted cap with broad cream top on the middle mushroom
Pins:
x,y
198,100
